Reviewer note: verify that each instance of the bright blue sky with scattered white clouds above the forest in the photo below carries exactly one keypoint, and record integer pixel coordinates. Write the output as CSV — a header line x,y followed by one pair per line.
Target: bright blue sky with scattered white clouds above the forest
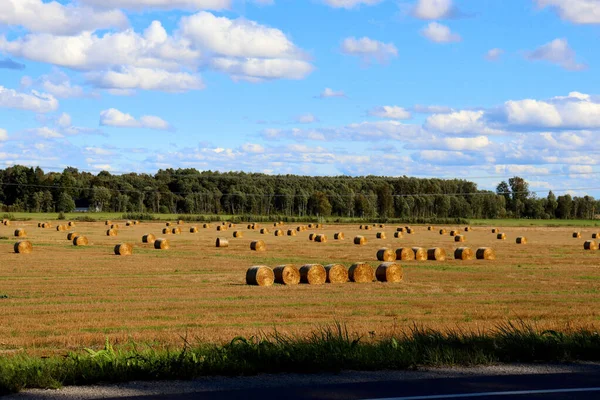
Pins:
x,y
482,90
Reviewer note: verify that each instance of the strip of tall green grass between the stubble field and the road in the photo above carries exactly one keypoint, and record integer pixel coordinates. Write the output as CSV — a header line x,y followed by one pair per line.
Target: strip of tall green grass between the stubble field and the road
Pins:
x,y
330,349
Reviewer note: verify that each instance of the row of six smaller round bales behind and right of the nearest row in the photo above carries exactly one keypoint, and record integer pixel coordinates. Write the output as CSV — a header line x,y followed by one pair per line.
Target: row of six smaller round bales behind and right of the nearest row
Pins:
x,y
433,254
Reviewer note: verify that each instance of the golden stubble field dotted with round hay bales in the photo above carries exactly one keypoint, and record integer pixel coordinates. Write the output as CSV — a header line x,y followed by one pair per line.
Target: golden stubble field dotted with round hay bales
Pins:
x,y
66,297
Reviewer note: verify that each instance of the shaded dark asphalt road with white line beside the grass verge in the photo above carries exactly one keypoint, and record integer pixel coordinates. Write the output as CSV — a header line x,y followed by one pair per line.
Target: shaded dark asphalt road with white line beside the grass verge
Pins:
x,y
555,382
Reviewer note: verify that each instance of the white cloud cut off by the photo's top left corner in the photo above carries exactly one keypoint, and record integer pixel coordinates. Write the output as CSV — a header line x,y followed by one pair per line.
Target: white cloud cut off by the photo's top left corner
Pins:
x,y
53,17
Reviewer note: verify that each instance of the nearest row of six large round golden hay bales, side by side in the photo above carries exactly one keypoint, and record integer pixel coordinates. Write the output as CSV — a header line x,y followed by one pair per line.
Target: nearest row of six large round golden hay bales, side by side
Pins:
x,y
317,274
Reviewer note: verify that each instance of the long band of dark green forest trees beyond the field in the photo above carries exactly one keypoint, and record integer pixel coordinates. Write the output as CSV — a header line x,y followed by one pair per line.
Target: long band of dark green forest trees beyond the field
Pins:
x,y
189,191
